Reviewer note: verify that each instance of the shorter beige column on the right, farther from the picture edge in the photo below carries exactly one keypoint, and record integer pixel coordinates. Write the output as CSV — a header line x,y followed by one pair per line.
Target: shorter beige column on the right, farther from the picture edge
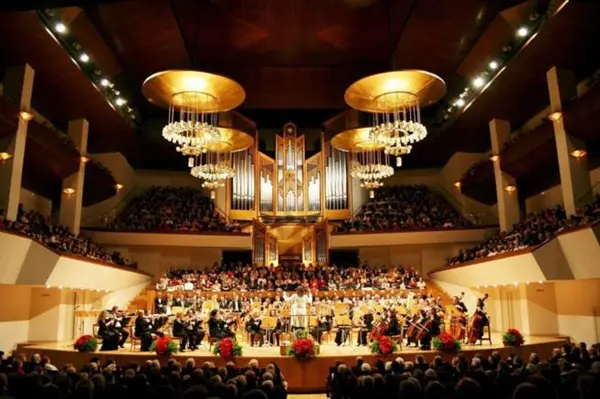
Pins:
x,y
506,186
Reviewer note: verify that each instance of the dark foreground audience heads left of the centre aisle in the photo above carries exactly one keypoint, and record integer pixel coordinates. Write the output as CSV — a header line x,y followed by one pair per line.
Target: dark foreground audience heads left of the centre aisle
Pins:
x,y
21,378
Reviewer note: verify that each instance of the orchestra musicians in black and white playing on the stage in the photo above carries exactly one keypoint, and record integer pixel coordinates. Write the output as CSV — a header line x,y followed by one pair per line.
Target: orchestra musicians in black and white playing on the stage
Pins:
x,y
412,318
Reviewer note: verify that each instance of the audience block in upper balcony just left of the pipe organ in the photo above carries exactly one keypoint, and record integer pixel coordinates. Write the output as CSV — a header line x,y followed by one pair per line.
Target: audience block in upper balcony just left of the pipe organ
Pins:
x,y
181,209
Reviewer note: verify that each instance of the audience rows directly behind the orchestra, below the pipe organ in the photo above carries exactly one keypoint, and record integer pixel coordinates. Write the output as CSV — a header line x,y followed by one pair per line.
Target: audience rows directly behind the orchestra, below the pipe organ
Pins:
x,y
247,278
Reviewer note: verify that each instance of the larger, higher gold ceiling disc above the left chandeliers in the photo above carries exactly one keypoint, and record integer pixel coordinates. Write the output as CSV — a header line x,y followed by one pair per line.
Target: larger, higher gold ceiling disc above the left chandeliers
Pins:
x,y
161,87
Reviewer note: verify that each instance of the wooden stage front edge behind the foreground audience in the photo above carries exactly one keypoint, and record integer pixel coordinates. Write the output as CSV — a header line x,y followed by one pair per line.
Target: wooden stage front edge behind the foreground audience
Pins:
x,y
303,376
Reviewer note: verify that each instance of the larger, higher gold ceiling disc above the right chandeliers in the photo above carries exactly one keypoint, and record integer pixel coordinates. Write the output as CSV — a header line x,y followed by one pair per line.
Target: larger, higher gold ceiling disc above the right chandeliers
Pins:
x,y
427,87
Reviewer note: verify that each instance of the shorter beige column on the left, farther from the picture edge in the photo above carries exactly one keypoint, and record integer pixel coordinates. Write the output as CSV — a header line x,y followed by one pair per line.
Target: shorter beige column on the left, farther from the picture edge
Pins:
x,y
72,187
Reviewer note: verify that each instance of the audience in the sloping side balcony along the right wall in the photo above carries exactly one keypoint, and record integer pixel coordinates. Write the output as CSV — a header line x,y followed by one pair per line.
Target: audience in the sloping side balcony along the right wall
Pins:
x,y
536,229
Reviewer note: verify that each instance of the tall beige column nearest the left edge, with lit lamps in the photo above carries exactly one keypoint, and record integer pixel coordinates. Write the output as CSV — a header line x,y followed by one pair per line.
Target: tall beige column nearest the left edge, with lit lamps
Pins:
x,y
18,85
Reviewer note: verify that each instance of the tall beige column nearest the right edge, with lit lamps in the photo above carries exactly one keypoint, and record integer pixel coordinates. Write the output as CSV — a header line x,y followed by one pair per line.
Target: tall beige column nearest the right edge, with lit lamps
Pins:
x,y
574,175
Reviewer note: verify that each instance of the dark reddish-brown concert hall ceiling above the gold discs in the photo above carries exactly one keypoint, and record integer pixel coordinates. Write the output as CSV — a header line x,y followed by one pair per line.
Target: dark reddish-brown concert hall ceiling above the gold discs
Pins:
x,y
295,58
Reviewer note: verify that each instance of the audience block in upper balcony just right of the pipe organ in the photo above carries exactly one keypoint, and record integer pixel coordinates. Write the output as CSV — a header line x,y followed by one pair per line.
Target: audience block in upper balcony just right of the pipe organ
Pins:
x,y
398,208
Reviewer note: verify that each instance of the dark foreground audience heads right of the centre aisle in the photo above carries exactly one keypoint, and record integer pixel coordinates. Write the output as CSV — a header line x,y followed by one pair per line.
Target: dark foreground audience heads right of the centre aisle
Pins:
x,y
481,377
